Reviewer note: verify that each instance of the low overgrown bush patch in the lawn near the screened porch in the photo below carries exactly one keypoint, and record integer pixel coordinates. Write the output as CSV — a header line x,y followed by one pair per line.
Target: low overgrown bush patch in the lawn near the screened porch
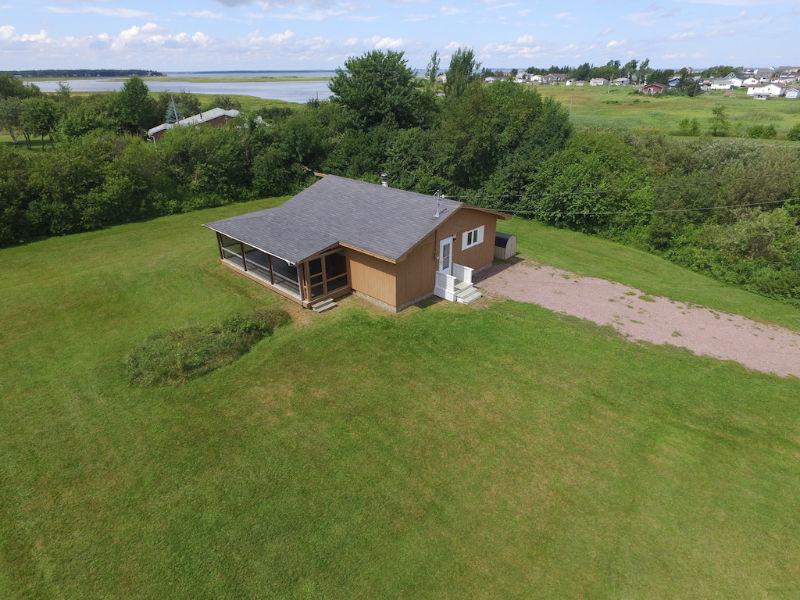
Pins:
x,y
180,355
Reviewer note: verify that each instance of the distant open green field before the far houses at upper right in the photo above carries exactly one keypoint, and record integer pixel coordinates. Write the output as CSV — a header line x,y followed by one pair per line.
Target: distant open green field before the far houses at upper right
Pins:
x,y
620,108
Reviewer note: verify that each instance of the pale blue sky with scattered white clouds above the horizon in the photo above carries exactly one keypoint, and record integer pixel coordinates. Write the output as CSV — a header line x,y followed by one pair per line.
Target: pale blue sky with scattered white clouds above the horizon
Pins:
x,y
176,35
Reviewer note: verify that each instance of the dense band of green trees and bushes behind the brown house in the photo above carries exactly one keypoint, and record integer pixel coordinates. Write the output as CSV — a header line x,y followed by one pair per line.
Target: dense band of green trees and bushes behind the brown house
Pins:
x,y
728,208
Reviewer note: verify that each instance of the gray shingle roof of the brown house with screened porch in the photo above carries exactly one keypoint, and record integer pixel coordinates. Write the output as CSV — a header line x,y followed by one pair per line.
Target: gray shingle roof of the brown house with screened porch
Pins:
x,y
383,221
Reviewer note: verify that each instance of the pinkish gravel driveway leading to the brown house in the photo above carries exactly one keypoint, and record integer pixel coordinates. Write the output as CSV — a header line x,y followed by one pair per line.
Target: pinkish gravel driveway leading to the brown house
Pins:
x,y
655,319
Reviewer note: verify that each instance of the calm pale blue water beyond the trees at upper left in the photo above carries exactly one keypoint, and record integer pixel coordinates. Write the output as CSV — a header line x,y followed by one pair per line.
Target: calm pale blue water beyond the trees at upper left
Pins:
x,y
290,91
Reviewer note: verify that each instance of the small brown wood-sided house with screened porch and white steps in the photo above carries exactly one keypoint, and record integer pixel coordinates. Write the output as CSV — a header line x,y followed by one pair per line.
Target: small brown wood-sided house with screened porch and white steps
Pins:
x,y
392,247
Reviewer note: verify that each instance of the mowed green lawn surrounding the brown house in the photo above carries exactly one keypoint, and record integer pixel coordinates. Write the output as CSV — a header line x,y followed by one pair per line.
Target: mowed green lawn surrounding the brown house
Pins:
x,y
448,451
